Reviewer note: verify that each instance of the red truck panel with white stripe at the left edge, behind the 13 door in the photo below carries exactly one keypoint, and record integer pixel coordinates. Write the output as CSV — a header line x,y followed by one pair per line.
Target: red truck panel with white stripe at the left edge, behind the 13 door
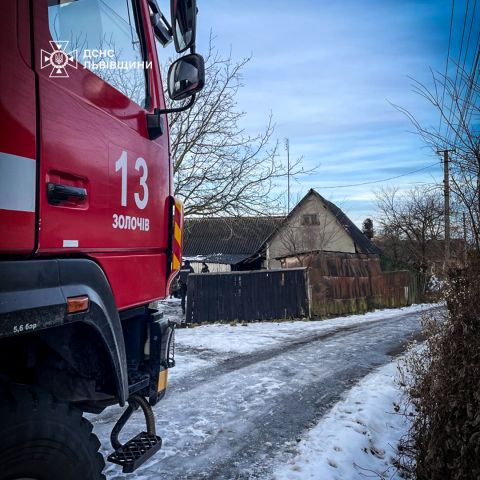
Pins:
x,y
17,135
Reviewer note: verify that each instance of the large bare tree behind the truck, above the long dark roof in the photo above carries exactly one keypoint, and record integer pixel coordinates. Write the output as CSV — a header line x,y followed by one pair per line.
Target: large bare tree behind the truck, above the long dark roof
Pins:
x,y
218,167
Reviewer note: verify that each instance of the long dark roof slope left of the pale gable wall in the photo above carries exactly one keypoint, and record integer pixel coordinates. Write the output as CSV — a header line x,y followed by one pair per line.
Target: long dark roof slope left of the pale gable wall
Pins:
x,y
227,235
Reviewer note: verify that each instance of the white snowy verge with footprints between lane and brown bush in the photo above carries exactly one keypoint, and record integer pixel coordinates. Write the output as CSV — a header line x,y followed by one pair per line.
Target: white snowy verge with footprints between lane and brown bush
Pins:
x,y
357,439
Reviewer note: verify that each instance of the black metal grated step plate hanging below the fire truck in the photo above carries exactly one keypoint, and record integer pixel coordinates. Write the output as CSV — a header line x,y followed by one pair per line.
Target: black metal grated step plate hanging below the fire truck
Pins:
x,y
136,451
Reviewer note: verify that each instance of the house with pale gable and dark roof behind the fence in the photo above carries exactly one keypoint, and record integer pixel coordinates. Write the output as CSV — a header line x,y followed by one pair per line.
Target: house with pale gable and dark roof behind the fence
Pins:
x,y
251,243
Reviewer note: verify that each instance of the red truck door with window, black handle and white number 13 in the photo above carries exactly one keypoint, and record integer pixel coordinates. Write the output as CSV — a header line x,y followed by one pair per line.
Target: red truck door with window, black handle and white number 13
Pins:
x,y
103,182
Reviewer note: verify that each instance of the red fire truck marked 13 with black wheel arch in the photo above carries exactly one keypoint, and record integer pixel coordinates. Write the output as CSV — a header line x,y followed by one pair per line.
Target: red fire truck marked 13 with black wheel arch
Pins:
x,y
90,233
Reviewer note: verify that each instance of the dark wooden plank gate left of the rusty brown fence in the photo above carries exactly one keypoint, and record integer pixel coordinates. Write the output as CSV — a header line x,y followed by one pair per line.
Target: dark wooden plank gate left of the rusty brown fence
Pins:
x,y
254,295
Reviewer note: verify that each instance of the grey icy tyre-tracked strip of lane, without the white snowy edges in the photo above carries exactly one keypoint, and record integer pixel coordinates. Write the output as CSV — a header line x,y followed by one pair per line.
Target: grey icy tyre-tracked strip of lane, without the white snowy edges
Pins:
x,y
250,407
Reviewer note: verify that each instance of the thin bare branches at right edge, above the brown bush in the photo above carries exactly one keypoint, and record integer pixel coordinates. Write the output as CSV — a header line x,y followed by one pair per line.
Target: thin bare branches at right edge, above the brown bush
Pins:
x,y
457,102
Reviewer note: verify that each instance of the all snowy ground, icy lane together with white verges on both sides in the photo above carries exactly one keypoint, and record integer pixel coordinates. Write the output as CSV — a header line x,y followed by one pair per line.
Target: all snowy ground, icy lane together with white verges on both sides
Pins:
x,y
237,411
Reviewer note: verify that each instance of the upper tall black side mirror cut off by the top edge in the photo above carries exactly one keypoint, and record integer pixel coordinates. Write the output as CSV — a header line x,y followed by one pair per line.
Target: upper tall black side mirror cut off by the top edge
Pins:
x,y
184,19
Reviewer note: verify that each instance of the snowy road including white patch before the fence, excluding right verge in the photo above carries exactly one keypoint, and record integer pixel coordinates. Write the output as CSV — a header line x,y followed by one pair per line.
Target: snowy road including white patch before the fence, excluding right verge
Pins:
x,y
242,396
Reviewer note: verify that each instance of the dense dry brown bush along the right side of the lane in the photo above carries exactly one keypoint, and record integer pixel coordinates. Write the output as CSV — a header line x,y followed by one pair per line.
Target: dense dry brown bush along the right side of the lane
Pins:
x,y
442,383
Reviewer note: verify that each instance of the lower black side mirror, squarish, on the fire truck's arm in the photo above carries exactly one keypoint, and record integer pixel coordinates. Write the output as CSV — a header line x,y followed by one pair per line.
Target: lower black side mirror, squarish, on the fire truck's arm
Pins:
x,y
186,76
